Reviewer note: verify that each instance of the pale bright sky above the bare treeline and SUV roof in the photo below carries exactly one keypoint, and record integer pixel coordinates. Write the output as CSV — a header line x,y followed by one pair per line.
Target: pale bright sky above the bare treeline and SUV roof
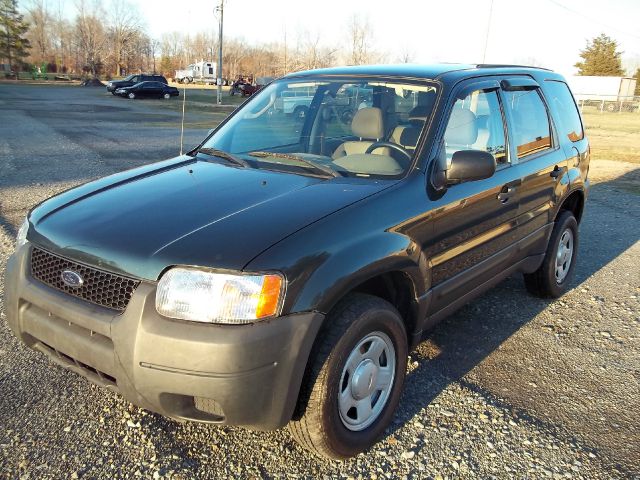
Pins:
x,y
547,33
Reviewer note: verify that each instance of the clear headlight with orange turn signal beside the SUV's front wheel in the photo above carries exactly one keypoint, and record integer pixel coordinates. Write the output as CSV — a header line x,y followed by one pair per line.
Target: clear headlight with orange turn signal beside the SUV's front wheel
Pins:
x,y
202,296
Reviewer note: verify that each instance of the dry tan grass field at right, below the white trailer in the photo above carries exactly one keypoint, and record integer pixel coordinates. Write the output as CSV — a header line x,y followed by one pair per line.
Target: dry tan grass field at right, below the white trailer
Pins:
x,y
613,136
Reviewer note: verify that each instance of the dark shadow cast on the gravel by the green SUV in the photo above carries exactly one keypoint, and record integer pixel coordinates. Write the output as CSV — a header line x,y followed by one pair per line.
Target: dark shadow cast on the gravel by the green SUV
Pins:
x,y
463,340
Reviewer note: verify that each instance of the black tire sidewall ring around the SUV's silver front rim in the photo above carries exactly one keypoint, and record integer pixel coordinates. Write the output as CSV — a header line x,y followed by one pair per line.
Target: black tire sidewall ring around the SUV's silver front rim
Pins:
x,y
344,442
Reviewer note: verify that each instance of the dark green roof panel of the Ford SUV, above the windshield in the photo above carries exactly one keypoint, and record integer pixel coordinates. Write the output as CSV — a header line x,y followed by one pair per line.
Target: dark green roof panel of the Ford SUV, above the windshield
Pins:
x,y
431,71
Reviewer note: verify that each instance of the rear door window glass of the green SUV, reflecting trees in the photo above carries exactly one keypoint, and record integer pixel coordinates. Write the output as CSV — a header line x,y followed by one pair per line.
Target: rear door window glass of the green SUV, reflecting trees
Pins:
x,y
529,121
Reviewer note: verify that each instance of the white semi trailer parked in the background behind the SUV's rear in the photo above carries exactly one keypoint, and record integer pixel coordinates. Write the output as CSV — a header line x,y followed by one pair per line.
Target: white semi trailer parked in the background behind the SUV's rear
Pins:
x,y
608,93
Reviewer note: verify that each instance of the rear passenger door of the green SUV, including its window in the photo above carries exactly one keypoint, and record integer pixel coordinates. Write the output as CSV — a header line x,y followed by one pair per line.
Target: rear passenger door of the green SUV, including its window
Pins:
x,y
541,162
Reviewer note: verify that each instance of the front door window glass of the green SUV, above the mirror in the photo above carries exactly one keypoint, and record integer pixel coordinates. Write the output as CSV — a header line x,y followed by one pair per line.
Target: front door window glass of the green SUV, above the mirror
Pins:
x,y
476,124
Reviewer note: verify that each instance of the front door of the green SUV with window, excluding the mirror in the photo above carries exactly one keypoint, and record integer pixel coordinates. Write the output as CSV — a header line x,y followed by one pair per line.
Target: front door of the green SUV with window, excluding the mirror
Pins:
x,y
475,223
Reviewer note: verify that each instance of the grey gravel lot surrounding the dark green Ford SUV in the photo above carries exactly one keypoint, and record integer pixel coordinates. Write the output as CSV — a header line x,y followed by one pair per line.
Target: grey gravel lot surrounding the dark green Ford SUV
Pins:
x,y
509,387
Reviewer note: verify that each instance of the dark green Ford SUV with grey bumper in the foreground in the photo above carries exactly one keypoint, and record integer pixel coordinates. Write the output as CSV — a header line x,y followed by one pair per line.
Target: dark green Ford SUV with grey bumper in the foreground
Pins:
x,y
281,272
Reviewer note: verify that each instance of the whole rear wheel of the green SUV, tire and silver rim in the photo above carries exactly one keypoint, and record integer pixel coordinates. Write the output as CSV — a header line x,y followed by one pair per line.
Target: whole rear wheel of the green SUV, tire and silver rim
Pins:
x,y
553,277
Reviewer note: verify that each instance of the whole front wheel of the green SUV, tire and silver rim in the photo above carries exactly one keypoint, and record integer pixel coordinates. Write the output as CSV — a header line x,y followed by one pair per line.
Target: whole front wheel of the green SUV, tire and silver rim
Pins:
x,y
354,379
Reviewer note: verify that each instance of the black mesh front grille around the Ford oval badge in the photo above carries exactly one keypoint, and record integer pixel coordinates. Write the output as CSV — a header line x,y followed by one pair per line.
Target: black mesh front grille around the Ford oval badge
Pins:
x,y
98,287
